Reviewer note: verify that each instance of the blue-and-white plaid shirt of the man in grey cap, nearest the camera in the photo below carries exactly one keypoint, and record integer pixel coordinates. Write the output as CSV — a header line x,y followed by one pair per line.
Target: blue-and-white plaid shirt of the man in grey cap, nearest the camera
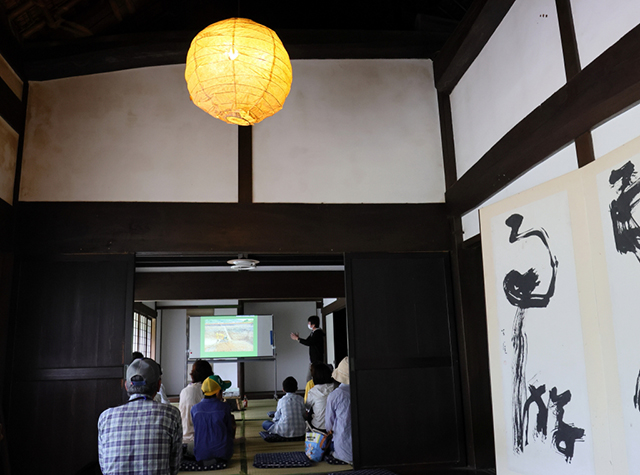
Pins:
x,y
142,437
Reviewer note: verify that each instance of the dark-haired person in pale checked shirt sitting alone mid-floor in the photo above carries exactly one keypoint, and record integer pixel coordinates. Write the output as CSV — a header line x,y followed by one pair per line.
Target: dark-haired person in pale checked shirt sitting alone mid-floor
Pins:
x,y
288,421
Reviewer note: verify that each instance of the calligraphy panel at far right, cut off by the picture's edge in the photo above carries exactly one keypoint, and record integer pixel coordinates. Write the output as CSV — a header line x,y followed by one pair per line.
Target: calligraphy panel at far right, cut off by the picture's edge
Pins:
x,y
612,193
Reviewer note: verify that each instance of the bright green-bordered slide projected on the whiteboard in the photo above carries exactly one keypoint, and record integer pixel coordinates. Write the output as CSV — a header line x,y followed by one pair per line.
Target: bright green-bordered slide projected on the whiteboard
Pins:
x,y
228,336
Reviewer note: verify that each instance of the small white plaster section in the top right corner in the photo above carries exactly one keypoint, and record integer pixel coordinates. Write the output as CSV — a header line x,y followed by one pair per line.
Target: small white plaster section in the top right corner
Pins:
x,y
601,23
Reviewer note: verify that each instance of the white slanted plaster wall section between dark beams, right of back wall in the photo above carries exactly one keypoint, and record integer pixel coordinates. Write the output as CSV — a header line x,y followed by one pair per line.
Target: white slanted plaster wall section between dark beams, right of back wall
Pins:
x,y
517,70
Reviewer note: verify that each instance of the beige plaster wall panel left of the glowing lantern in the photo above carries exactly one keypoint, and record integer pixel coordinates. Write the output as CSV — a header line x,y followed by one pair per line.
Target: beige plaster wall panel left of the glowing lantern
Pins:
x,y
125,136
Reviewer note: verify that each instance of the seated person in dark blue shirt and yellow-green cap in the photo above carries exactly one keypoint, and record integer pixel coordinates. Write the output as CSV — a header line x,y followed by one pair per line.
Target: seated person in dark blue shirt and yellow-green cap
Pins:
x,y
213,424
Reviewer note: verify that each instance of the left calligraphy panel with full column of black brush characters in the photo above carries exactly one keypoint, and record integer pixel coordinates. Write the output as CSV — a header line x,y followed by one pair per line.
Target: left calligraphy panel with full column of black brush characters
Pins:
x,y
547,376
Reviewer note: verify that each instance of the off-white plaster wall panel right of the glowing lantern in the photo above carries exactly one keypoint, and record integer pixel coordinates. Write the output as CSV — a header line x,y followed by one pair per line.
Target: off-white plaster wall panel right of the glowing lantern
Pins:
x,y
352,131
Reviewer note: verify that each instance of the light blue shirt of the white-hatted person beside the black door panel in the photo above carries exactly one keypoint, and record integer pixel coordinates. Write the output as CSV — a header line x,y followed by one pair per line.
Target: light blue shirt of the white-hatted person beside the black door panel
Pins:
x,y
338,420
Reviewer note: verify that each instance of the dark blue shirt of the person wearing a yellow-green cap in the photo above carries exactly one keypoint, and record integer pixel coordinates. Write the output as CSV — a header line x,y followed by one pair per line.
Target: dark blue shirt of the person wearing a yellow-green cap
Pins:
x,y
213,429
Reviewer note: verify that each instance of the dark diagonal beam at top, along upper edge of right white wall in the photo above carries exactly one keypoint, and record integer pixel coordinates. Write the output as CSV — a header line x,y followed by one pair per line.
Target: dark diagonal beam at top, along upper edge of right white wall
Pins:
x,y
462,48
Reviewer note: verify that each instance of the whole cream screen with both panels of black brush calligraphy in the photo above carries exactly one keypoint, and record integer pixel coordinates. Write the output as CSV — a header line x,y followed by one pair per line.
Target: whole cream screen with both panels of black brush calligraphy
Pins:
x,y
562,285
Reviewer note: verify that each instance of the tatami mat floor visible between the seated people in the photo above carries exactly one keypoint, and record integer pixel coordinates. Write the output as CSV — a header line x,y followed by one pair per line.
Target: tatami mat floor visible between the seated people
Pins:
x,y
249,443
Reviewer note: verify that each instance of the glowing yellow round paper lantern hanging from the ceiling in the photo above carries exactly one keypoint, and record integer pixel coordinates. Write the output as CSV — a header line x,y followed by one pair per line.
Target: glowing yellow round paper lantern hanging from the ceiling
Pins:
x,y
238,71
